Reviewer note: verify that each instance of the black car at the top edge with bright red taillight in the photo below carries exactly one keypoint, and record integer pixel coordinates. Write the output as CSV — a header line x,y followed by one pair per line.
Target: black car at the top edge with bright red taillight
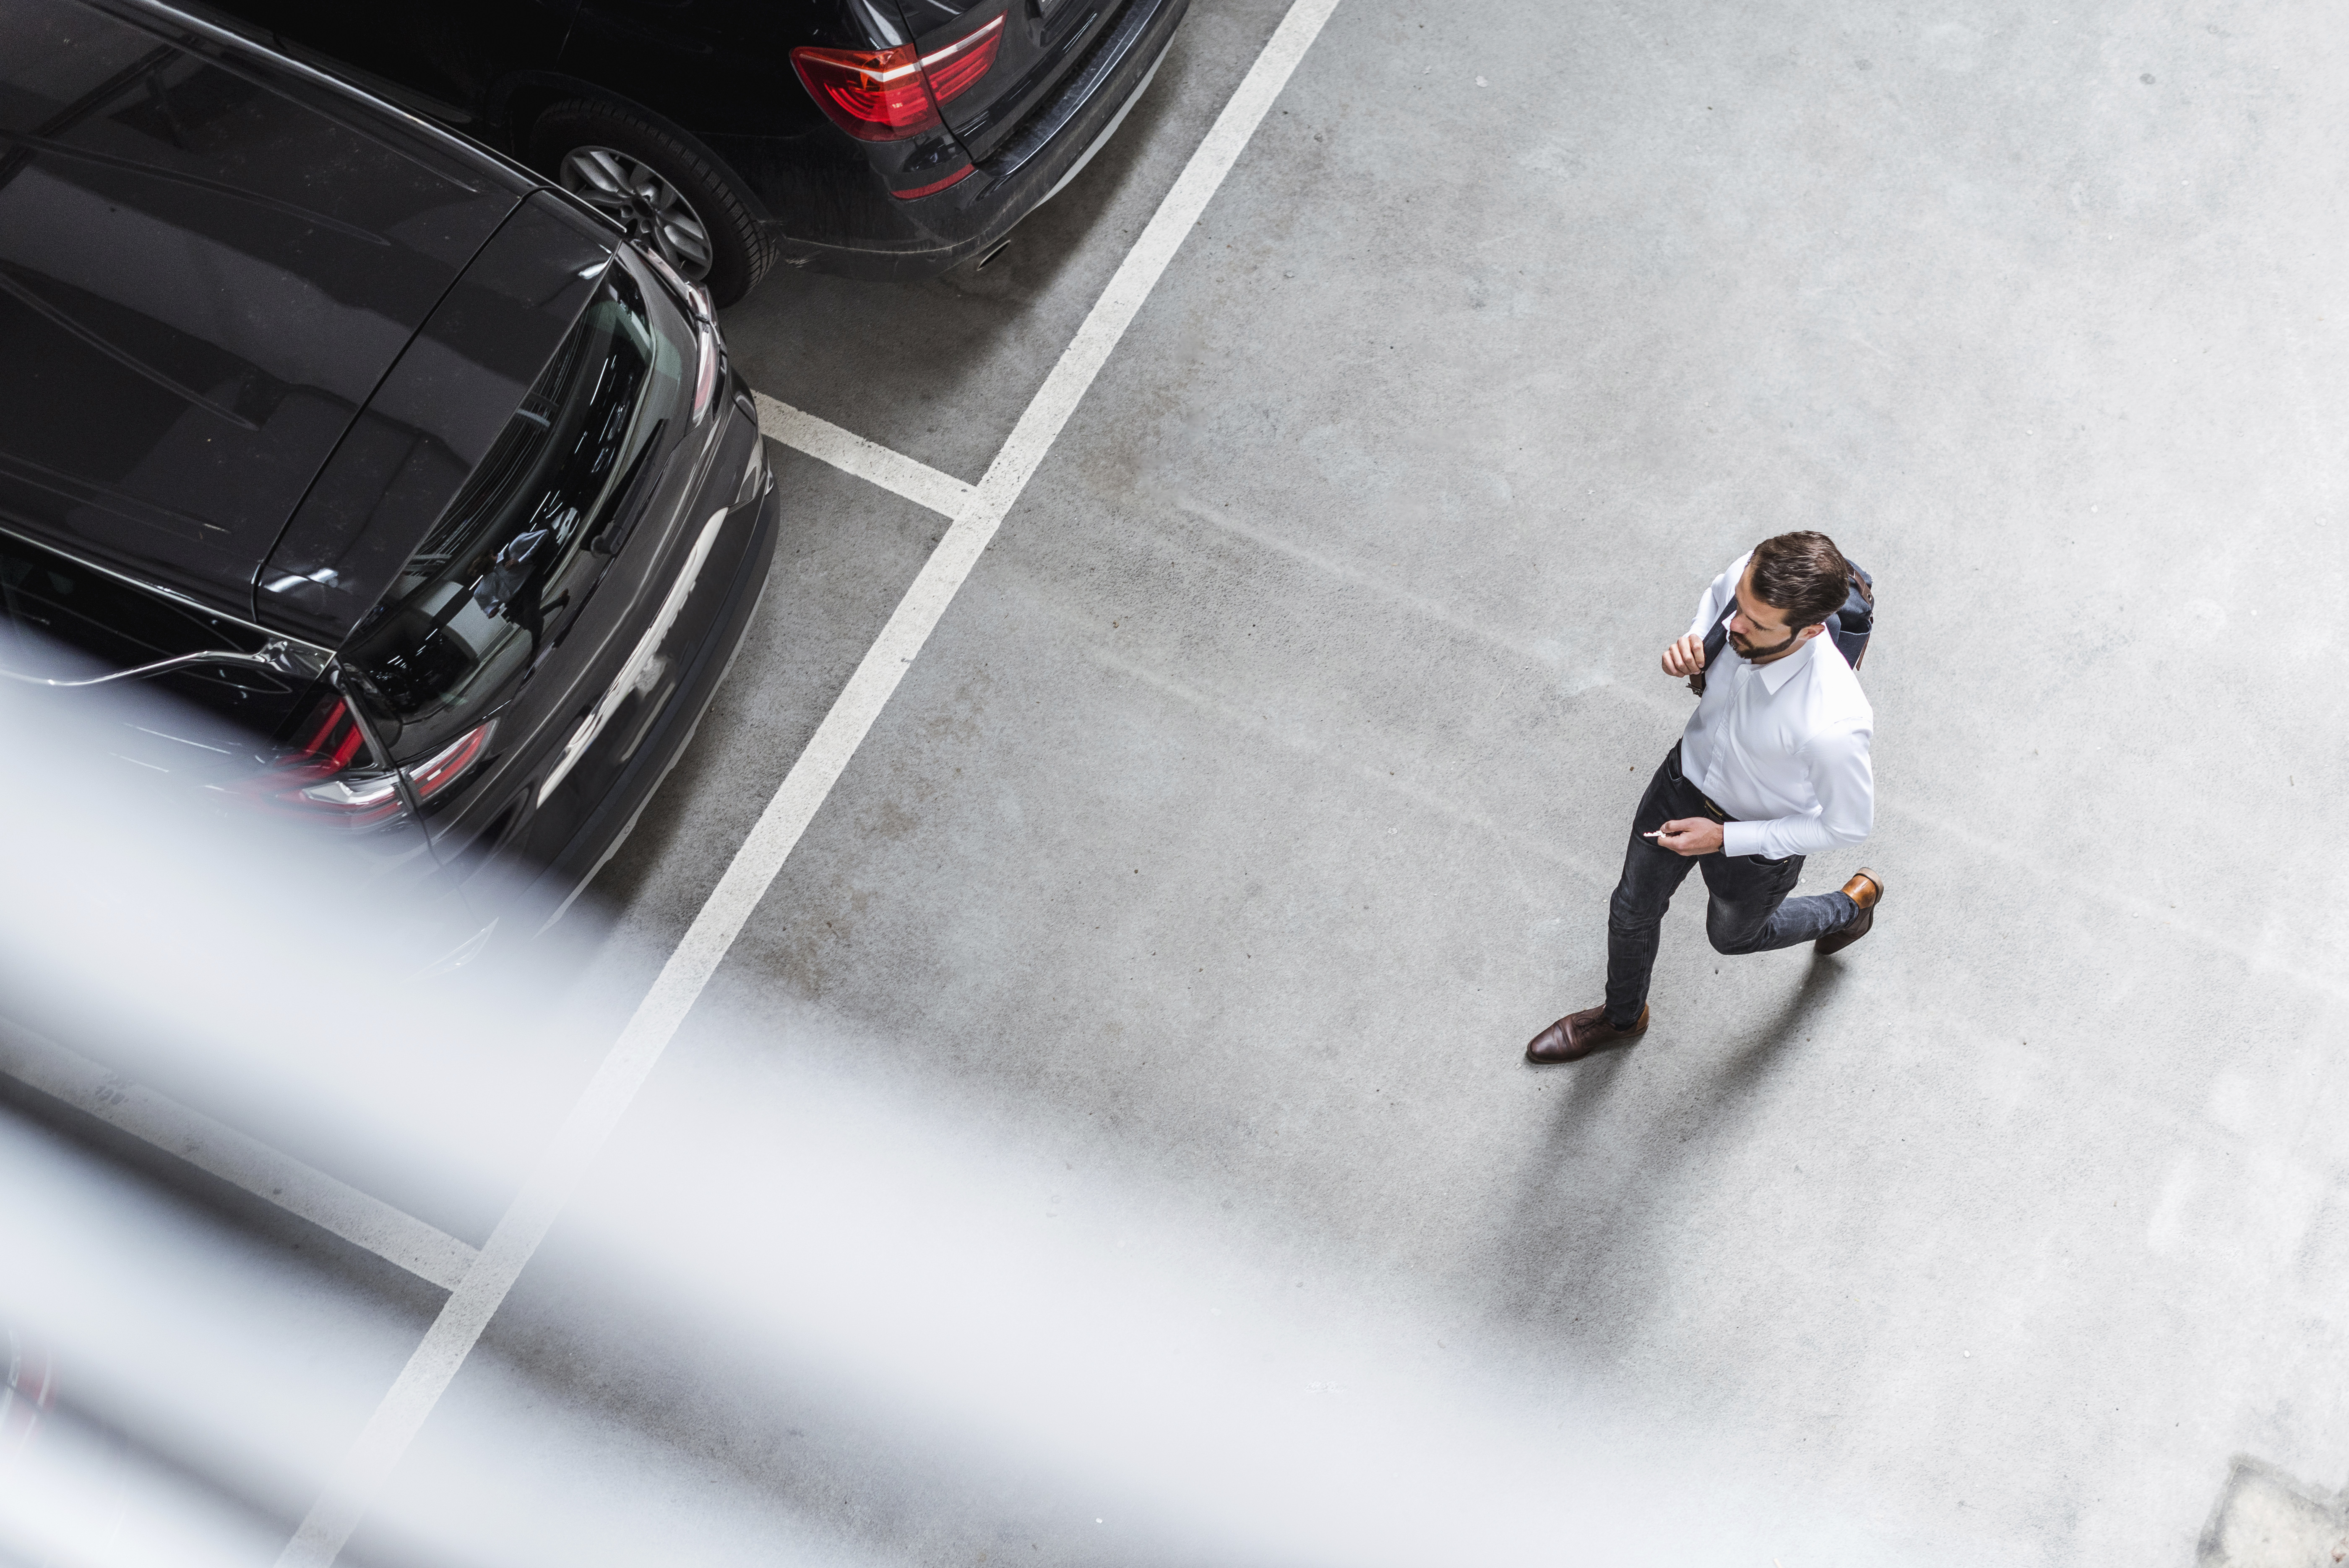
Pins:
x,y
868,137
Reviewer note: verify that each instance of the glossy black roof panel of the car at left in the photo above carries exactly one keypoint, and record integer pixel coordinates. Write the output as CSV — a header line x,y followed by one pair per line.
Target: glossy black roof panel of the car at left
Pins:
x,y
208,264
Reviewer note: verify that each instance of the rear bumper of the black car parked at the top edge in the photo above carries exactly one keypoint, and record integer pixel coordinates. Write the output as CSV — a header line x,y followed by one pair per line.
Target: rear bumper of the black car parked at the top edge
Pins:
x,y
934,234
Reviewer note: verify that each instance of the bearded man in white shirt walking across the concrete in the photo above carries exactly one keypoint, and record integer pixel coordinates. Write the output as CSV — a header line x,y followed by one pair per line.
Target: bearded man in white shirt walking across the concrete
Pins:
x,y
1772,769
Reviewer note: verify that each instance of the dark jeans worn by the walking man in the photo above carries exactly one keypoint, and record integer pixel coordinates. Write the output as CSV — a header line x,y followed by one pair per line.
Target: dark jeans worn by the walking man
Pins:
x,y
1749,912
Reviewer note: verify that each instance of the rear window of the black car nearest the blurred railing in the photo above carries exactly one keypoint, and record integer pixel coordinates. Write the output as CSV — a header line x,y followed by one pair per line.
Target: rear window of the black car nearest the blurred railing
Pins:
x,y
527,536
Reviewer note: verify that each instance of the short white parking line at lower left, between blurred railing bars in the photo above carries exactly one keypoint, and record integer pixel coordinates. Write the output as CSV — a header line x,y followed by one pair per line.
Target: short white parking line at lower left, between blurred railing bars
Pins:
x,y
243,1163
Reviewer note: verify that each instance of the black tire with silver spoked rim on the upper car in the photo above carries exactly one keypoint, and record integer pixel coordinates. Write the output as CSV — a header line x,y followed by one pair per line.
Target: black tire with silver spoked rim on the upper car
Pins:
x,y
603,154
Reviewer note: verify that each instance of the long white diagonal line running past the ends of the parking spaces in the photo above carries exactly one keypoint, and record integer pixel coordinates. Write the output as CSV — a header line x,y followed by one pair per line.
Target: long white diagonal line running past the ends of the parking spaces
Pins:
x,y
786,818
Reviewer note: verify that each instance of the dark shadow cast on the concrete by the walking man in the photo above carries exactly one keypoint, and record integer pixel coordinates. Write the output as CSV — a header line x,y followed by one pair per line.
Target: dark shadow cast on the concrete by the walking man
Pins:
x,y
1606,1189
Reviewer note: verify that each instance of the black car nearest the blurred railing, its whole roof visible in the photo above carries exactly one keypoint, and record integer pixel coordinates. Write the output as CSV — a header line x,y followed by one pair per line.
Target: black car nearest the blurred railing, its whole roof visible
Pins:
x,y
429,501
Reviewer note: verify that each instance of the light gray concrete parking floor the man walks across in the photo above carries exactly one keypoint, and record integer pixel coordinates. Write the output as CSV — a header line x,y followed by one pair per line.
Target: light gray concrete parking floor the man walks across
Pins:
x,y
1263,790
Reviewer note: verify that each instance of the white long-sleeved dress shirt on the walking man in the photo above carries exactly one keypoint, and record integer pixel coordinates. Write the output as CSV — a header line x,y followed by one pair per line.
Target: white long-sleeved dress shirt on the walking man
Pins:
x,y
1784,745
